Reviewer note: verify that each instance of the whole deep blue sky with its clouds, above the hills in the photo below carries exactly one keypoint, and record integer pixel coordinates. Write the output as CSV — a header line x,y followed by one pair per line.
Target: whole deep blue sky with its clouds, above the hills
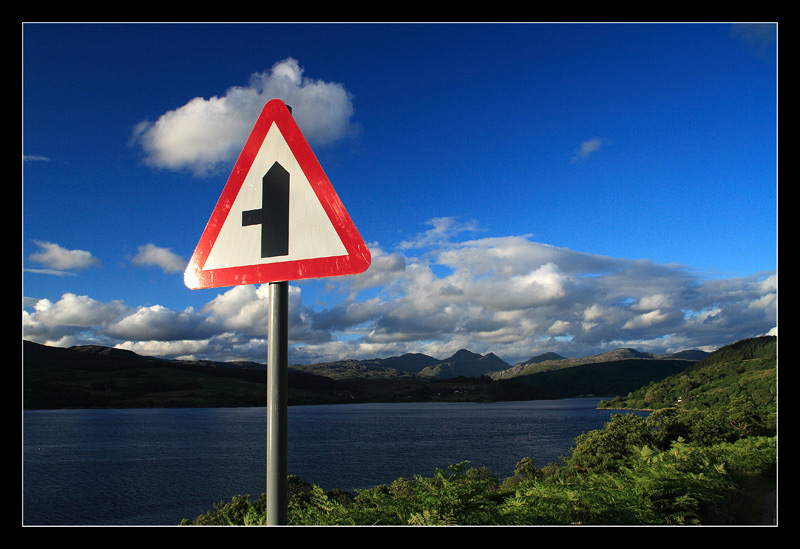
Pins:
x,y
523,188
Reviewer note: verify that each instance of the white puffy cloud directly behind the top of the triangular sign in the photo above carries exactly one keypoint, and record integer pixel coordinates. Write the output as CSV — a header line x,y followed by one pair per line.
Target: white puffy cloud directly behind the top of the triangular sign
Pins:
x,y
205,134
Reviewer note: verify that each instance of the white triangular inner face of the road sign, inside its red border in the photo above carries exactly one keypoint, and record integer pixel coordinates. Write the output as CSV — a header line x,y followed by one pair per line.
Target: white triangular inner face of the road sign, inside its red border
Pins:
x,y
310,232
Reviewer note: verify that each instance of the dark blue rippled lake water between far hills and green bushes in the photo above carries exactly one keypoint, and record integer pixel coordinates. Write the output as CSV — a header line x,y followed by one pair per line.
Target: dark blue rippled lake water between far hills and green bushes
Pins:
x,y
158,466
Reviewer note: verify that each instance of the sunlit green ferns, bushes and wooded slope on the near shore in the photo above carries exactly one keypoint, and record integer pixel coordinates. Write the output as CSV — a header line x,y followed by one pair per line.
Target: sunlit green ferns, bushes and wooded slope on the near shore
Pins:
x,y
711,462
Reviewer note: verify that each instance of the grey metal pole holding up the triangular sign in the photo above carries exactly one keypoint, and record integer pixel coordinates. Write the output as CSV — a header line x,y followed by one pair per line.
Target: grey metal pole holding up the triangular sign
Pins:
x,y
277,403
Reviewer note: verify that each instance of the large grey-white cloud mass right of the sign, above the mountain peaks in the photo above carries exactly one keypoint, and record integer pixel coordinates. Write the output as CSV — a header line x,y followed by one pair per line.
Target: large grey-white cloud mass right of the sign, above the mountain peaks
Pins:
x,y
517,298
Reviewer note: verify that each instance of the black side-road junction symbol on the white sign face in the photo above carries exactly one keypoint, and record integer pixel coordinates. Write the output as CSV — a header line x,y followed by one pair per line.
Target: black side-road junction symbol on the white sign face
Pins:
x,y
274,213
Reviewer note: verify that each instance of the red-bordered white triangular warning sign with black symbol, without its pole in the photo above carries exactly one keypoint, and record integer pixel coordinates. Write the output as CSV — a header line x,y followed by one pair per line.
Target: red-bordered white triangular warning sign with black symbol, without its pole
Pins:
x,y
278,218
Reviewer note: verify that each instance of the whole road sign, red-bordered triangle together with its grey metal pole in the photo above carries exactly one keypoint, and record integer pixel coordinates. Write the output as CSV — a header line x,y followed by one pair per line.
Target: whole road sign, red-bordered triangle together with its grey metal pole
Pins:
x,y
301,230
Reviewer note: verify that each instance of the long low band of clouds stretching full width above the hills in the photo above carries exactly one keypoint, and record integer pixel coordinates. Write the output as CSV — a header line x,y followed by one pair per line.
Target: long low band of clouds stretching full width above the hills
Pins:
x,y
508,295
